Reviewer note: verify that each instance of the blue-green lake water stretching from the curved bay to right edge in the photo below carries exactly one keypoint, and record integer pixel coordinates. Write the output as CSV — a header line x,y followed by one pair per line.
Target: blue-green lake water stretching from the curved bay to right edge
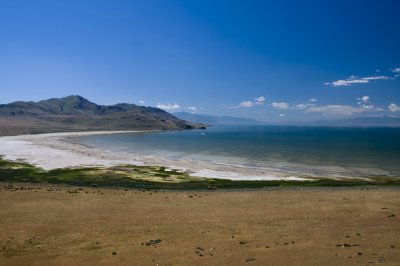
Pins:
x,y
357,151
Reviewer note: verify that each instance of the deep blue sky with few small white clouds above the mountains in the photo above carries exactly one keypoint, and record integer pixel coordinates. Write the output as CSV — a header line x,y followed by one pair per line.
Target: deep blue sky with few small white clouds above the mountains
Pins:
x,y
308,59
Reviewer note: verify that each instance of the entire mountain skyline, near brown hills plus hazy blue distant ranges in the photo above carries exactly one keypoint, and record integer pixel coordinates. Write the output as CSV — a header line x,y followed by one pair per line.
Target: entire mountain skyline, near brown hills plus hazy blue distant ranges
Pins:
x,y
75,113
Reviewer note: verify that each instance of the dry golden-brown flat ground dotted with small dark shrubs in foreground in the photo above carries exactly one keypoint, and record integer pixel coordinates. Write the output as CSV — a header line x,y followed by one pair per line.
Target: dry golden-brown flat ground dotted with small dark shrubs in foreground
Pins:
x,y
61,225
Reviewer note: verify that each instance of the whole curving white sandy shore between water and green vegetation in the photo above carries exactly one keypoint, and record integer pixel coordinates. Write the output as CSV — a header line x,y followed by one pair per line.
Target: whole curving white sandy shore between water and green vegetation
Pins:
x,y
57,150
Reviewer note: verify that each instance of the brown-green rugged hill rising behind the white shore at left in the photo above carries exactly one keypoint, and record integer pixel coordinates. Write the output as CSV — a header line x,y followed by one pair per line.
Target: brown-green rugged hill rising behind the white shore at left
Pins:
x,y
75,113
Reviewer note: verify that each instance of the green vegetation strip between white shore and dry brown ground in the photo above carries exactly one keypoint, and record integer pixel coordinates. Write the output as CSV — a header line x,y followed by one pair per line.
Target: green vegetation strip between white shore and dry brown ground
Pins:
x,y
157,177
